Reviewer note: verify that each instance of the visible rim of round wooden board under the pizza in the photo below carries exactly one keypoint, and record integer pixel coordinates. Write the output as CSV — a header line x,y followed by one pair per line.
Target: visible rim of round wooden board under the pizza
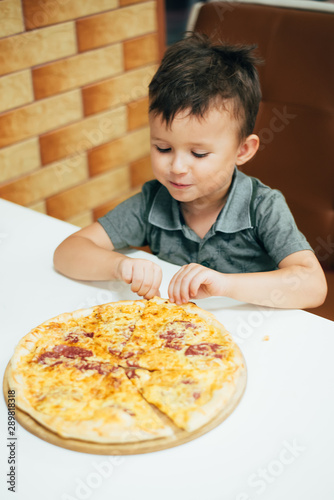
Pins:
x,y
180,436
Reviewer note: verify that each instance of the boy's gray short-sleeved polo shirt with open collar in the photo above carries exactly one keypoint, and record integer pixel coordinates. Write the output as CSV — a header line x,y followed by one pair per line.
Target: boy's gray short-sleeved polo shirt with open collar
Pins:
x,y
254,231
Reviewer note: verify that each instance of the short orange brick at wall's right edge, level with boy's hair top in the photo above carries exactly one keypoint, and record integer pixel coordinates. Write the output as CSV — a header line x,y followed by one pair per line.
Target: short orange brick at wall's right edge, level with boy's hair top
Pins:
x,y
141,51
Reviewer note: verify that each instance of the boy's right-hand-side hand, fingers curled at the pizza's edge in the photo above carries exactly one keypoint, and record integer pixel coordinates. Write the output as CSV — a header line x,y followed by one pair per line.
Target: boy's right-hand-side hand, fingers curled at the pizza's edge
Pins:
x,y
194,281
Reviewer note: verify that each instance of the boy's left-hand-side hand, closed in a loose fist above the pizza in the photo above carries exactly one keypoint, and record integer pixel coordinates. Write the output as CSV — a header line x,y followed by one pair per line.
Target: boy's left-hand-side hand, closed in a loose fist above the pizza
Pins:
x,y
145,276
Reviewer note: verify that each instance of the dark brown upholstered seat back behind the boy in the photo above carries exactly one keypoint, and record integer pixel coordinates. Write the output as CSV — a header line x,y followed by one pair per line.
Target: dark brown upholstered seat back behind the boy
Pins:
x,y
296,117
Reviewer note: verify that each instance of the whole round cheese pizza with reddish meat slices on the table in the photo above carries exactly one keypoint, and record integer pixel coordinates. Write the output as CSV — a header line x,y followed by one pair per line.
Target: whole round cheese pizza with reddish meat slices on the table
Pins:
x,y
127,371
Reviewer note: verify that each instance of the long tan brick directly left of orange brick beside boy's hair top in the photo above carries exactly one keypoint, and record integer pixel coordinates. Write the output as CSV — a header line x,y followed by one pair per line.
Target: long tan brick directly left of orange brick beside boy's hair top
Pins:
x,y
77,71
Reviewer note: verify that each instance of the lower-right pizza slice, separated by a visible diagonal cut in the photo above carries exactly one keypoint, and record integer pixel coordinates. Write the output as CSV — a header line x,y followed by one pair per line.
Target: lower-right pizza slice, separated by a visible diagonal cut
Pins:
x,y
190,398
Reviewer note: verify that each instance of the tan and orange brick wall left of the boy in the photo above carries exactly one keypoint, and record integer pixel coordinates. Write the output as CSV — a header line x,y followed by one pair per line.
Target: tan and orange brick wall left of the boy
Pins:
x,y
74,137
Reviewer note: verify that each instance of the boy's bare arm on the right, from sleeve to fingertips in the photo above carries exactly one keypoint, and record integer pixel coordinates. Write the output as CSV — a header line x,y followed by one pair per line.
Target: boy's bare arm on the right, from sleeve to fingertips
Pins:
x,y
298,283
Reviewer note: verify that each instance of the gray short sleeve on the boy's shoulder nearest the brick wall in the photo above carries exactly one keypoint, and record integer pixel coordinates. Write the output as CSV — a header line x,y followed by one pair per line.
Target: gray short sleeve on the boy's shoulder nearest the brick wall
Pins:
x,y
127,223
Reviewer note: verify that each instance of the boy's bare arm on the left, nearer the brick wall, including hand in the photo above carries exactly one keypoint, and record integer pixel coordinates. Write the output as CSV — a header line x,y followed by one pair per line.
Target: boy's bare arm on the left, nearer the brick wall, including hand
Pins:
x,y
89,254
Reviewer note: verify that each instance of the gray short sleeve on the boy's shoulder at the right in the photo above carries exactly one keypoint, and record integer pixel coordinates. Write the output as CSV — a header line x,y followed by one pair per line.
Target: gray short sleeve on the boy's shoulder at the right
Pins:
x,y
275,226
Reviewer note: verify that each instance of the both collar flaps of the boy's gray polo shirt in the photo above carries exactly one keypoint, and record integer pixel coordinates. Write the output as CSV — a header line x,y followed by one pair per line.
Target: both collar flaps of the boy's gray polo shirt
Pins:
x,y
234,217
